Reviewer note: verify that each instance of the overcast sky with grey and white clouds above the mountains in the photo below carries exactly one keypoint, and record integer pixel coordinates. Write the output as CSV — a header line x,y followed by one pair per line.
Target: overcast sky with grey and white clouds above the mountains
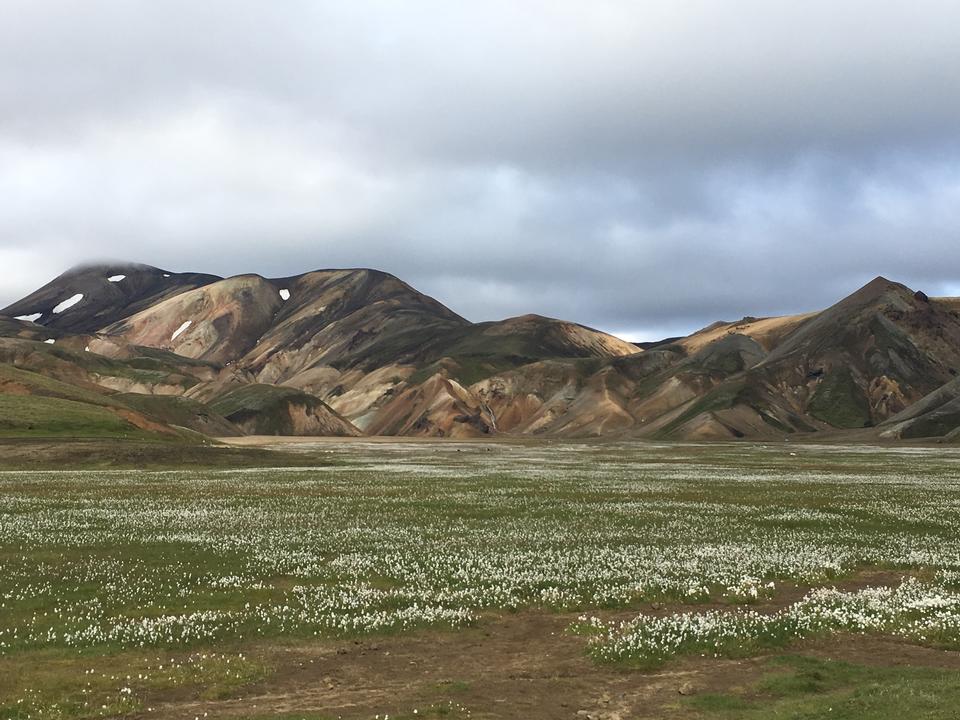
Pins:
x,y
645,168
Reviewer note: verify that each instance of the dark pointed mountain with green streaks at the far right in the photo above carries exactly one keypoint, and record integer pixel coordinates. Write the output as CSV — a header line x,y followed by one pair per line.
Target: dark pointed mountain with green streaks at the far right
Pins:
x,y
853,365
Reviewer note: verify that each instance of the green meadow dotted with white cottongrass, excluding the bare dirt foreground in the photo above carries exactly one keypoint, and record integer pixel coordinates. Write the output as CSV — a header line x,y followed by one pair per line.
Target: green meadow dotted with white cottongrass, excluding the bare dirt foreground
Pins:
x,y
117,585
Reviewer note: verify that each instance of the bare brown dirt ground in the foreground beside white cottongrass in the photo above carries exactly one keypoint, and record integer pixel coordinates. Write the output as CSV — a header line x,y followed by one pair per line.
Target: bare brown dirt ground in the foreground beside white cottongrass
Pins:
x,y
514,666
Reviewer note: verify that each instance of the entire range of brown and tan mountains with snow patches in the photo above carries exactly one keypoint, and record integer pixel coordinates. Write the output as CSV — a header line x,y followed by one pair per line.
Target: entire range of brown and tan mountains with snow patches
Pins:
x,y
360,352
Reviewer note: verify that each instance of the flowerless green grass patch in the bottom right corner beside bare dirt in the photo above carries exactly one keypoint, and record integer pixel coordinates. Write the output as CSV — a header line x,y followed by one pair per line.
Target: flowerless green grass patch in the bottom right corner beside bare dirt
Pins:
x,y
806,688
